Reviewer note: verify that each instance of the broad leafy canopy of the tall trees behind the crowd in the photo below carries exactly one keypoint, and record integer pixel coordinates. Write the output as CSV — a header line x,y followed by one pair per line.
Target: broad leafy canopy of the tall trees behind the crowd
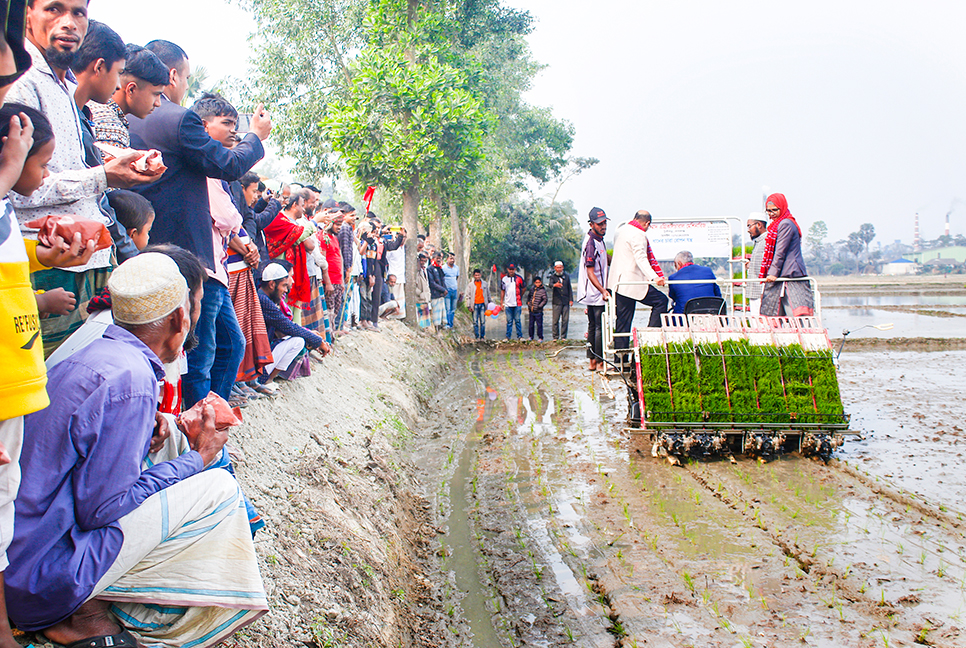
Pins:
x,y
434,86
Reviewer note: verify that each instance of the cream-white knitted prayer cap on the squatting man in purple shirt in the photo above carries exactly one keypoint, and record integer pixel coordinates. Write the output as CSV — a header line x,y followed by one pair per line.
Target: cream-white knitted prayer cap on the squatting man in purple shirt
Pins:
x,y
146,288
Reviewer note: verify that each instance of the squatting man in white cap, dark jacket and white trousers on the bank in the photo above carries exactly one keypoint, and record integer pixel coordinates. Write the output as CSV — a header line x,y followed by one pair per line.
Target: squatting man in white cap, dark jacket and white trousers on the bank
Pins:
x,y
287,338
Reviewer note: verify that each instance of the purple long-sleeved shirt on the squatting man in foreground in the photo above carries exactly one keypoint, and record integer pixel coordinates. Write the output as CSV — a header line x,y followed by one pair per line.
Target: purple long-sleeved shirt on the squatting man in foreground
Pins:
x,y
81,465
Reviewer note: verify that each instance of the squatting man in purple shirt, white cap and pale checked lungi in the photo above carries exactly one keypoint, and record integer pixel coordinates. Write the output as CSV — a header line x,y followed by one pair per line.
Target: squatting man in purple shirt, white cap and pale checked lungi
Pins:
x,y
94,529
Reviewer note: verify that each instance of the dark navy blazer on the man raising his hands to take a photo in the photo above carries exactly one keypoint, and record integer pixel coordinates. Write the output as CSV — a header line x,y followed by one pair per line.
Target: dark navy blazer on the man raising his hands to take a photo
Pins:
x,y
180,197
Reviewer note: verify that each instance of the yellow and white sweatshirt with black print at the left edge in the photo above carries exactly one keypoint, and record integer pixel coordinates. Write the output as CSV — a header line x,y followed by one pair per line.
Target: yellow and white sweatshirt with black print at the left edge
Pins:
x,y
23,378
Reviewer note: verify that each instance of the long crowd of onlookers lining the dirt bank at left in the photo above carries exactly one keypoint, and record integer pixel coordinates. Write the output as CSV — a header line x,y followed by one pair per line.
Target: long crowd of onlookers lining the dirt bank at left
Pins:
x,y
156,281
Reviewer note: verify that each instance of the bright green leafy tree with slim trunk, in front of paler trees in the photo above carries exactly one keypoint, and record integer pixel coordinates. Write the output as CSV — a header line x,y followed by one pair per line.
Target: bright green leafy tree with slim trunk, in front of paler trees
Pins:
x,y
409,117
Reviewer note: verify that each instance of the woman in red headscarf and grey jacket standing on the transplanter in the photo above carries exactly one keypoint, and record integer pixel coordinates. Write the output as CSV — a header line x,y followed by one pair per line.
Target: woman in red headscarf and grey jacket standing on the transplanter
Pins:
x,y
783,260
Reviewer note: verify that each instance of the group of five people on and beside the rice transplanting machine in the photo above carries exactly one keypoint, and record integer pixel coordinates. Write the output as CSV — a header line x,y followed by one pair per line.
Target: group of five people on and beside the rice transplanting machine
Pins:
x,y
633,275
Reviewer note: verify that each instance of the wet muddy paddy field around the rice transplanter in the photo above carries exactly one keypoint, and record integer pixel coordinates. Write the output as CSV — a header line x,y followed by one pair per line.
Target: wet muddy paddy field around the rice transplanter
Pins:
x,y
560,529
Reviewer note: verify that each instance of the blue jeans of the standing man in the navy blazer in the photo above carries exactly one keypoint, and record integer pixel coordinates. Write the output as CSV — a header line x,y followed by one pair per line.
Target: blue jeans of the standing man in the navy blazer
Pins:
x,y
213,364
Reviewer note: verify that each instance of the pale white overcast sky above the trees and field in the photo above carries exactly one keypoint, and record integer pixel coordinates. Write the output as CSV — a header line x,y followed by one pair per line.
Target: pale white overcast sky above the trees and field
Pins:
x,y
856,111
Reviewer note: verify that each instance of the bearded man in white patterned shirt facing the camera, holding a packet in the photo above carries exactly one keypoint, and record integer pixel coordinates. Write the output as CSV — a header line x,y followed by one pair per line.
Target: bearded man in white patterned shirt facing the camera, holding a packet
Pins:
x,y
55,31
